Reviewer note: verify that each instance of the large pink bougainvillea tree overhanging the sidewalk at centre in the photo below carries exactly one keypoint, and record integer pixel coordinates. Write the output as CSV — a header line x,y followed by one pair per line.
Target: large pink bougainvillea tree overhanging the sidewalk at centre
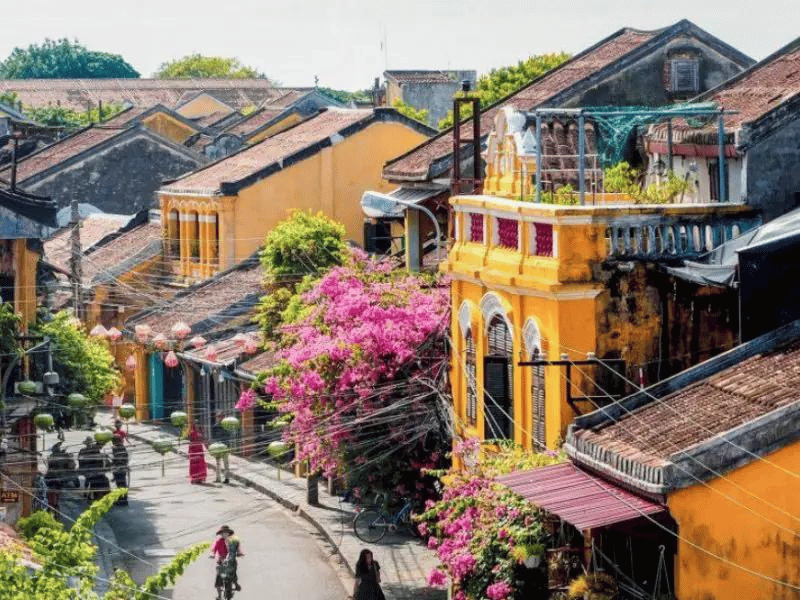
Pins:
x,y
363,375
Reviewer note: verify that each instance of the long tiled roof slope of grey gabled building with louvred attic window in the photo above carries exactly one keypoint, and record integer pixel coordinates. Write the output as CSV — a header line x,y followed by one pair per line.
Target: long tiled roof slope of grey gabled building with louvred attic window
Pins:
x,y
416,163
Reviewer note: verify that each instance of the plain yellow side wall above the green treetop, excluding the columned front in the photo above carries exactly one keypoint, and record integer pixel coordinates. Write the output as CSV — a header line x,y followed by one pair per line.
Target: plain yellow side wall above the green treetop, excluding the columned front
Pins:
x,y
331,181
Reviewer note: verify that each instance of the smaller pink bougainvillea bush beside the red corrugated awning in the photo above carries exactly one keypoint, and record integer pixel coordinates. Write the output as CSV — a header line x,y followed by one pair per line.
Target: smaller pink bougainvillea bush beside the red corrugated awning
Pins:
x,y
481,531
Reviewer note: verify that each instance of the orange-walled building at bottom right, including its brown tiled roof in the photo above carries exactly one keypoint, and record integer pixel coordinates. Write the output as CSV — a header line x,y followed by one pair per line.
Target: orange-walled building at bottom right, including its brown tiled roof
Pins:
x,y
716,447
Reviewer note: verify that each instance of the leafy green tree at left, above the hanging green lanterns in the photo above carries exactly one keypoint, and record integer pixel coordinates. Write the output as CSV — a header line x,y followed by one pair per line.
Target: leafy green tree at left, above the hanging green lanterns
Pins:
x,y
84,364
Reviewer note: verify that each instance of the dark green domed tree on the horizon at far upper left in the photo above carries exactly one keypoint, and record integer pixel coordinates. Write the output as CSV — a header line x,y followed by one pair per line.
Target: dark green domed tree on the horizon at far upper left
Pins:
x,y
55,59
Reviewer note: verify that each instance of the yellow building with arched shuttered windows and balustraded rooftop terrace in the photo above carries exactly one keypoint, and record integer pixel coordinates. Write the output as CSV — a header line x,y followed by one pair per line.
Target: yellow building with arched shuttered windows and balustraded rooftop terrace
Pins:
x,y
536,281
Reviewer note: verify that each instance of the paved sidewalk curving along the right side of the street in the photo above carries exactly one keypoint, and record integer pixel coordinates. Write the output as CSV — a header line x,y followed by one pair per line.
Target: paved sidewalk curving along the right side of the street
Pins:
x,y
405,562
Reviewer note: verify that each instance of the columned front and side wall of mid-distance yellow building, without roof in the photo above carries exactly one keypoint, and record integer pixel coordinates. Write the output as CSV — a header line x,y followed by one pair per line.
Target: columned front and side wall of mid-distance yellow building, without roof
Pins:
x,y
209,233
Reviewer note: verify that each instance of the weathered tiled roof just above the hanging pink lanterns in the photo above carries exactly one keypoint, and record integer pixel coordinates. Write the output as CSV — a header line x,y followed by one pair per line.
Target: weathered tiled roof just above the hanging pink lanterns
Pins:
x,y
224,301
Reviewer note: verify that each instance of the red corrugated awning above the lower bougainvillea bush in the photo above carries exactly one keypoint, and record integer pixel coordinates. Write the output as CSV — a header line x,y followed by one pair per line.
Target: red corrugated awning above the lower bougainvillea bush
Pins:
x,y
577,497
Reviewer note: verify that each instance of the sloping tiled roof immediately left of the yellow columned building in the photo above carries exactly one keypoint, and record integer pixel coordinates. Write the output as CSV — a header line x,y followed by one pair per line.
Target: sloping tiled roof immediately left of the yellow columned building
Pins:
x,y
122,253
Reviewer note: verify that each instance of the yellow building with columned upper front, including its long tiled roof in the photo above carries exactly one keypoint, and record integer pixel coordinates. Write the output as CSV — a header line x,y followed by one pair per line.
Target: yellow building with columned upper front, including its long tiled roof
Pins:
x,y
219,215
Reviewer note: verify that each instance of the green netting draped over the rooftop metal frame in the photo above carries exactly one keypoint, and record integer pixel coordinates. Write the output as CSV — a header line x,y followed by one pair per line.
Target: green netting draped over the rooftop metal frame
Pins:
x,y
616,123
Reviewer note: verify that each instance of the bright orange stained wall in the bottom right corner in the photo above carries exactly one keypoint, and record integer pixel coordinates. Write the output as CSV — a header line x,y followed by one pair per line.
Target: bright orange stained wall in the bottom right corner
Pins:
x,y
709,520
